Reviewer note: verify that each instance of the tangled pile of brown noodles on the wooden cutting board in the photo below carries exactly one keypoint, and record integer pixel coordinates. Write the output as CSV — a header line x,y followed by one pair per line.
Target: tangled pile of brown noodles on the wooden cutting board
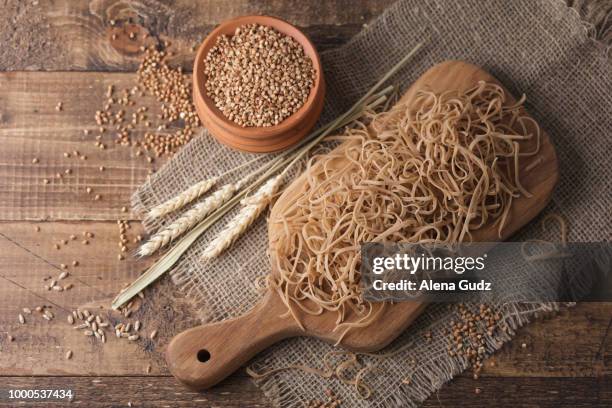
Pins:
x,y
434,172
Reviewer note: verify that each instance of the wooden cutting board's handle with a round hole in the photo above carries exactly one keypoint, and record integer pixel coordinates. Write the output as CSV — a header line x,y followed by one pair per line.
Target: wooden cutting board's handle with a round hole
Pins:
x,y
203,356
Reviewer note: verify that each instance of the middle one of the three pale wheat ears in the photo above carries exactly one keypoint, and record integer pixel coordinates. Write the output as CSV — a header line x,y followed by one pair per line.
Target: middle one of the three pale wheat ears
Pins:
x,y
189,219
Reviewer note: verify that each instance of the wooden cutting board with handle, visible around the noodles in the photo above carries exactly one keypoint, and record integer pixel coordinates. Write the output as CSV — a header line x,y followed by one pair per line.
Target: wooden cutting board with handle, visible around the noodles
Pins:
x,y
202,356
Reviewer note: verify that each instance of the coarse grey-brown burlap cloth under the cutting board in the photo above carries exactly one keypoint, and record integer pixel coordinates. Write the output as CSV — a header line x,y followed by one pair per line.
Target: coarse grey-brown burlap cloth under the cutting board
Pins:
x,y
537,47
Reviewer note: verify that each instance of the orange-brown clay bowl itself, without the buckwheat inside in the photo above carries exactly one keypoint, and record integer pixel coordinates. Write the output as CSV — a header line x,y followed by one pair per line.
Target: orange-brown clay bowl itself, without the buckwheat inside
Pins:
x,y
258,139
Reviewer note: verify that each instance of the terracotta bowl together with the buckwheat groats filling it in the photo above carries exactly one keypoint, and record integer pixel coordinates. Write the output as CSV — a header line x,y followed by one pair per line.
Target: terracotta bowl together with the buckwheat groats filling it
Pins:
x,y
258,84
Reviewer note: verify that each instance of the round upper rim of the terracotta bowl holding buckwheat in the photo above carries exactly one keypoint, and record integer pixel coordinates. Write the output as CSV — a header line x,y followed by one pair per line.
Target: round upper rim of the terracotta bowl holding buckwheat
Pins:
x,y
256,132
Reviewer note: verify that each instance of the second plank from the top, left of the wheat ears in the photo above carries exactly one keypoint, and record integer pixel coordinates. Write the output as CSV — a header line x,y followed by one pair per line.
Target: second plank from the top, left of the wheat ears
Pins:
x,y
31,127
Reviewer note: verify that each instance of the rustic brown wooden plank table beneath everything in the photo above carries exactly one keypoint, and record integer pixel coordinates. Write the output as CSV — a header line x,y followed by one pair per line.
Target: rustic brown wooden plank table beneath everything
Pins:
x,y
63,51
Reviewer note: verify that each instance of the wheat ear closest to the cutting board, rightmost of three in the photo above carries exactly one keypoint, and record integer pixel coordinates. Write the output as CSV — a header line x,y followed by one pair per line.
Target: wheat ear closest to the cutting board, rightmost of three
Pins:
x,y
252,208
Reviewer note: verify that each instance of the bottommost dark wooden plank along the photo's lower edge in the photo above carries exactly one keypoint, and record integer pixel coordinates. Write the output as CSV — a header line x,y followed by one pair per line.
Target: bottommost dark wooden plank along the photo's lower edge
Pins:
x,y
239,391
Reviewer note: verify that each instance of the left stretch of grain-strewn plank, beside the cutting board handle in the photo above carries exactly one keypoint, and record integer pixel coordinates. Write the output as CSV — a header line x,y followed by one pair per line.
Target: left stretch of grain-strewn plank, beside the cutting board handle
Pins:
x,y
39,346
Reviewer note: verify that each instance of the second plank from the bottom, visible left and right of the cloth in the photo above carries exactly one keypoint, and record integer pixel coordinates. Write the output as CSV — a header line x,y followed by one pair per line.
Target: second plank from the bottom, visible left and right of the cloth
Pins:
x,y
554,347
